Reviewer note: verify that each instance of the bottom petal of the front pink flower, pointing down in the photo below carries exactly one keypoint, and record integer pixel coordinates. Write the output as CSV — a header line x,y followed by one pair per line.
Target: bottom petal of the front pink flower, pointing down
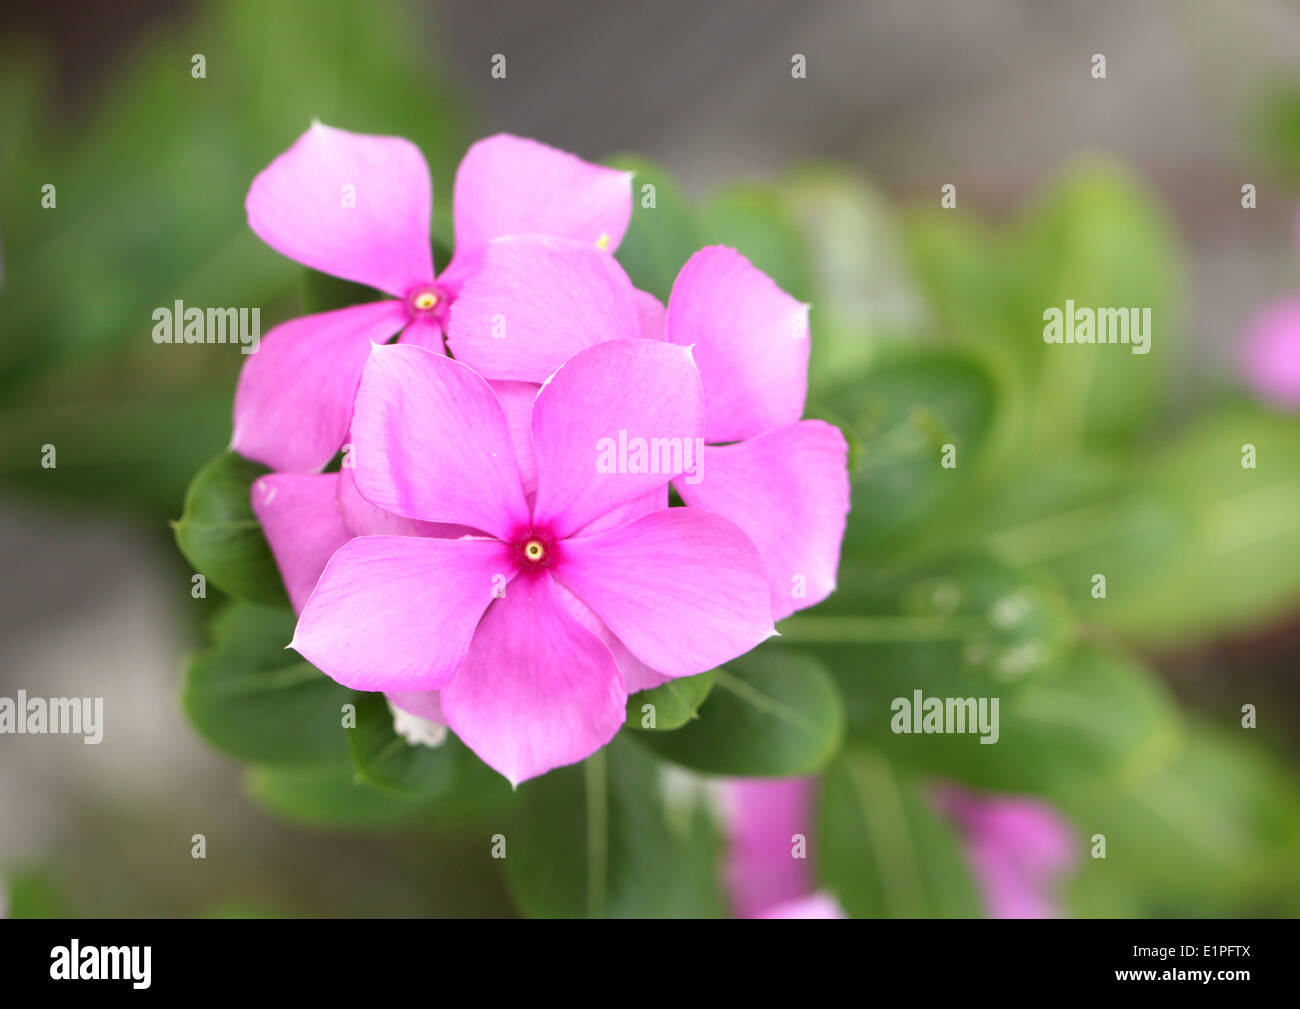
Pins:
x,y
538,690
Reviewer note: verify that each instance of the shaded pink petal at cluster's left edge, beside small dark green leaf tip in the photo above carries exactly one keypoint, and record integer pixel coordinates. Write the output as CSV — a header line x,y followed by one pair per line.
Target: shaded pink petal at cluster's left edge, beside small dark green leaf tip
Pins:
x,y
304,526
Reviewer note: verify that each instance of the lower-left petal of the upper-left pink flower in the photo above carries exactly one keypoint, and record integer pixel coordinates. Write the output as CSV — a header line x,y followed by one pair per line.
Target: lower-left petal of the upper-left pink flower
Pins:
x,y
294,400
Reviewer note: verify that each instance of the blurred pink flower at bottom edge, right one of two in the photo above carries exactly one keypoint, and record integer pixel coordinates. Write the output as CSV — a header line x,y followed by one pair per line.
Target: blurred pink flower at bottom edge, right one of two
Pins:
x,y
1019,848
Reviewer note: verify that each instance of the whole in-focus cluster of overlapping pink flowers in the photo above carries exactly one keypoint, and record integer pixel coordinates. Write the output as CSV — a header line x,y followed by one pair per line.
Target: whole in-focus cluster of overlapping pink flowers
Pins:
x,y
497,552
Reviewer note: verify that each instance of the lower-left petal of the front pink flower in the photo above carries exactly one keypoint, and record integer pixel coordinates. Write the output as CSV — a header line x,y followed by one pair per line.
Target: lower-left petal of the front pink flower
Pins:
x,y
397,613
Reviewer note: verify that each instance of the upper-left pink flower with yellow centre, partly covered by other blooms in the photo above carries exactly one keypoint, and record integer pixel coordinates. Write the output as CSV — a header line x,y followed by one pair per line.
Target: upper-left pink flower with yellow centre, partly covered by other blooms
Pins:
x,y
359,207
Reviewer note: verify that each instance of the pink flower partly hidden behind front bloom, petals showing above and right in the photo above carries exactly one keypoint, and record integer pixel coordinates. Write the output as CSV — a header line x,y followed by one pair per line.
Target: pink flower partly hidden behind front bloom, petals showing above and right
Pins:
x,y
785,482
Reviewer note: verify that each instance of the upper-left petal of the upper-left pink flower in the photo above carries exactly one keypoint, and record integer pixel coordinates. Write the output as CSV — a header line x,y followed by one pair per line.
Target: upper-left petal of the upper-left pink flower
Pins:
x,y
350,205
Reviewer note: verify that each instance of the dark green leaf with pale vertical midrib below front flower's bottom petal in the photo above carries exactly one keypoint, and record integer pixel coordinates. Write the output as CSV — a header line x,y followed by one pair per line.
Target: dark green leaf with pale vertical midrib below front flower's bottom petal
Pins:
x,y
603,841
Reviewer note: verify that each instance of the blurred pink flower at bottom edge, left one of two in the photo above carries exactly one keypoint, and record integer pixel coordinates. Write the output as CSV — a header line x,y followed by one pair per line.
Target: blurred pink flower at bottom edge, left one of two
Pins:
x,y
766,820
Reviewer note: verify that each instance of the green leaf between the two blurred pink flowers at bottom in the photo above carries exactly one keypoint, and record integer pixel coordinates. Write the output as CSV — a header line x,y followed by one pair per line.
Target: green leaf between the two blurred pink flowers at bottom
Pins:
x,y
883,852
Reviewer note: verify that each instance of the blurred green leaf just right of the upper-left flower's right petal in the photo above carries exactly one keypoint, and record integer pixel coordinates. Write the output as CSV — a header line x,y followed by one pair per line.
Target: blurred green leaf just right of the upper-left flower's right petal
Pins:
x,y
661,237
